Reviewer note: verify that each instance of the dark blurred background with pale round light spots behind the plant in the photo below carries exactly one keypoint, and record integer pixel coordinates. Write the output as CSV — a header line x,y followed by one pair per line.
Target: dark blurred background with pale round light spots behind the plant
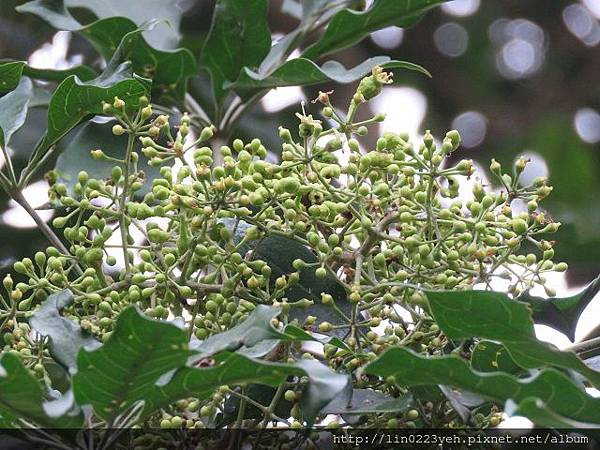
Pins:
x,y
515,77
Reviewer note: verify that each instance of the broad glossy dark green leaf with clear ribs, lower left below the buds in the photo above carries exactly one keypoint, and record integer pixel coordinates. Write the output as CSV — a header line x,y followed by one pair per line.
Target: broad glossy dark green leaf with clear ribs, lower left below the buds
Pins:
x,y
126,368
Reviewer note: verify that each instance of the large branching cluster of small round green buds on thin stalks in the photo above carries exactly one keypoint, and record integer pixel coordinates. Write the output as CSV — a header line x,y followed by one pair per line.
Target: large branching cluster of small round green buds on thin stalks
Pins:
x,y
383,224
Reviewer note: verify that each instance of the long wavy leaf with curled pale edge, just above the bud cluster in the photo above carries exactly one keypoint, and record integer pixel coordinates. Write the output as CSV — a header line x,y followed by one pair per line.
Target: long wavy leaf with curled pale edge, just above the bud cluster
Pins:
x,y
302,72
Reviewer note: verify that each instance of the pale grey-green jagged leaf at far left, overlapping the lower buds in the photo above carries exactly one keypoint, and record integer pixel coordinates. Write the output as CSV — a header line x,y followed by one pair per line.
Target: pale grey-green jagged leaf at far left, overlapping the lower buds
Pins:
x,y
65,337
